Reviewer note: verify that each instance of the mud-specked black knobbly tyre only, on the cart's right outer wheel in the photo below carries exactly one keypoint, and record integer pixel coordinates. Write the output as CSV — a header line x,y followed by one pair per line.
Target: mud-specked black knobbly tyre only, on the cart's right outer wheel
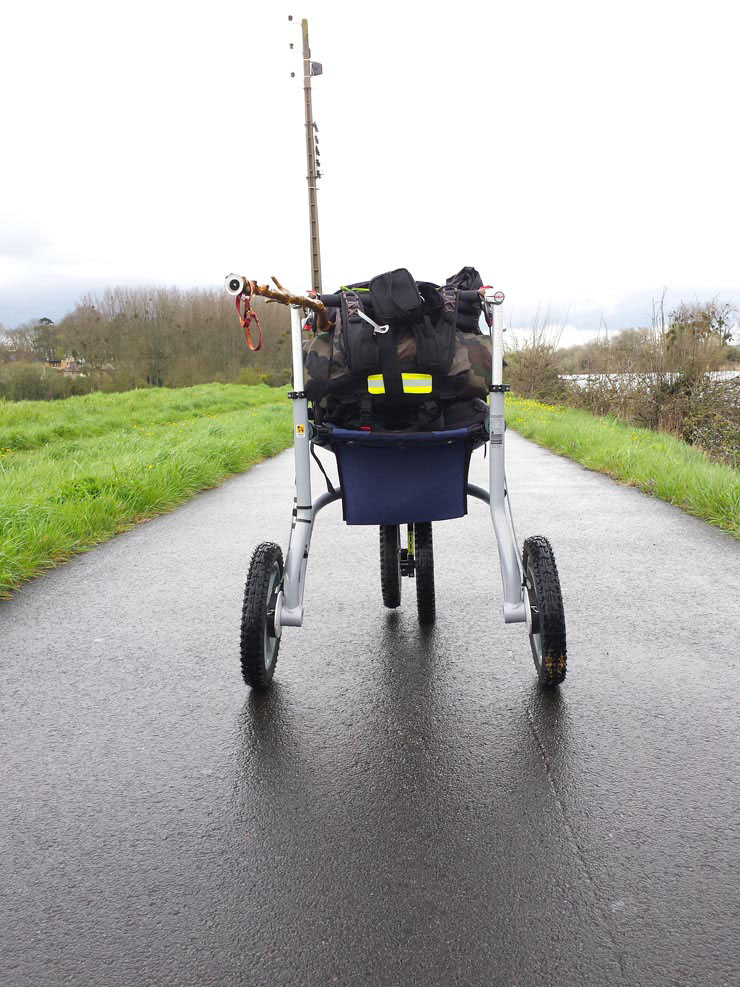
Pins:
x,y
538,552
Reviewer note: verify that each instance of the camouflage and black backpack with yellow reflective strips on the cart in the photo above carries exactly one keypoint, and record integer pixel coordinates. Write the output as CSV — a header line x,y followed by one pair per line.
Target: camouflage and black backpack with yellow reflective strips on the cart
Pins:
x,y
399,354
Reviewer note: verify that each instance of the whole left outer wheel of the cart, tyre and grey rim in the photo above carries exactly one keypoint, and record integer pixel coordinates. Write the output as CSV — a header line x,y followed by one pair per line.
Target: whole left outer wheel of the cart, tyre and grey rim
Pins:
x,y
259,642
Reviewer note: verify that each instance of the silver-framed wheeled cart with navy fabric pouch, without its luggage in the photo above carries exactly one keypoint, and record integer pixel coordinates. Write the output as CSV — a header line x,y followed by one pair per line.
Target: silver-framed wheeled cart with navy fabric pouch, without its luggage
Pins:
x,y
390,480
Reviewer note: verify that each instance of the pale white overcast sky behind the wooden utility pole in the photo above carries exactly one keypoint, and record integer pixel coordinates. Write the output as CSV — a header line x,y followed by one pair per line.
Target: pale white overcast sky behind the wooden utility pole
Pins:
x,y
582,155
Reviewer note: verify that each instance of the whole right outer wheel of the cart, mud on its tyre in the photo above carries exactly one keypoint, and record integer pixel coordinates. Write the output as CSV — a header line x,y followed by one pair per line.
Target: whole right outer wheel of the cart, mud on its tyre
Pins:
x,y
544,606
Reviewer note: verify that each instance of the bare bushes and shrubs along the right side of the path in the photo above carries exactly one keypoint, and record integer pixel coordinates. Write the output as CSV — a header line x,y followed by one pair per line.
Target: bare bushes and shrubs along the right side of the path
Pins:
x,y
666,376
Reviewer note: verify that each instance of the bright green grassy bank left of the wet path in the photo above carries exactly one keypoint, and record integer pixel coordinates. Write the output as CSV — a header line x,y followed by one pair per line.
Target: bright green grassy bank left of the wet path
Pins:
x,y
75,472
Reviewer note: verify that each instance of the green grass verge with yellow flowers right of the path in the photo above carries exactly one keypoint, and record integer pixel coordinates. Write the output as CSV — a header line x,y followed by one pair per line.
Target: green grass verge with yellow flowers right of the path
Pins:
x,y
656,463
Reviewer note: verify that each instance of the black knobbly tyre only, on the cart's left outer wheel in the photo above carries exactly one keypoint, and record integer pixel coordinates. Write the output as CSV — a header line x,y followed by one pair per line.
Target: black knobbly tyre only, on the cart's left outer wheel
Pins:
x,y
254,611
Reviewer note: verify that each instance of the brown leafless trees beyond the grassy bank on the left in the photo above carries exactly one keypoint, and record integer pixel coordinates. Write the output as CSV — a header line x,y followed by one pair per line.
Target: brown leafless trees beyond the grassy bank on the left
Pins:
x,y
142,337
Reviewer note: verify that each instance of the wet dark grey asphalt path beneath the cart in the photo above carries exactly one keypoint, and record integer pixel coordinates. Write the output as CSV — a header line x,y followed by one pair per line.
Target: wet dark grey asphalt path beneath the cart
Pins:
x,y
405,807
